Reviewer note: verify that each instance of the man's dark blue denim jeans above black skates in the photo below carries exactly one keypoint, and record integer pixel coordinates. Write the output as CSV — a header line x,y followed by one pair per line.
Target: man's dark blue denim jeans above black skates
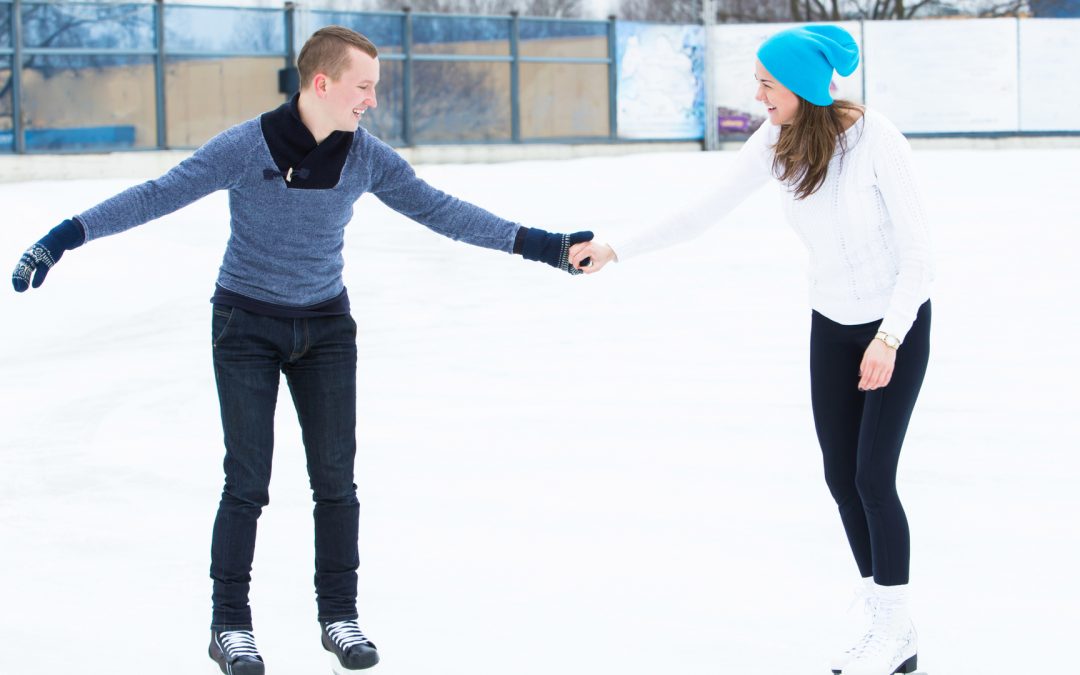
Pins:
x,y
319,360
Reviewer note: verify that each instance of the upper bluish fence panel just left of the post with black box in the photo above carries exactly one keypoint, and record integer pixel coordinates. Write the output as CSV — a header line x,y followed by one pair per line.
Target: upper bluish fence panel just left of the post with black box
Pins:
x,y
228,31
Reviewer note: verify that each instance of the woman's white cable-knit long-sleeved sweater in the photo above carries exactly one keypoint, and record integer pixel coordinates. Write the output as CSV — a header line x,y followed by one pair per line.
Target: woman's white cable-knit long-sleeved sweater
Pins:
x,y
866,228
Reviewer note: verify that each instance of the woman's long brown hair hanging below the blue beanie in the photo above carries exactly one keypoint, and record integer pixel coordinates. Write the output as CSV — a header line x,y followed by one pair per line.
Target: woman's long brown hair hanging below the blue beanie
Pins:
x,y
807,145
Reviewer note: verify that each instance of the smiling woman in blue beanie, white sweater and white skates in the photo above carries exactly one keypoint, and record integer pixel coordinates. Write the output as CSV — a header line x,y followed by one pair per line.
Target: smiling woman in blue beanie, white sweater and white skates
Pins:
x,y
853,199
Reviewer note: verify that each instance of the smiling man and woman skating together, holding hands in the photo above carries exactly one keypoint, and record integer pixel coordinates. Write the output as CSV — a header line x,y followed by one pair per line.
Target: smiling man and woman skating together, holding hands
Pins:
x,y
280,307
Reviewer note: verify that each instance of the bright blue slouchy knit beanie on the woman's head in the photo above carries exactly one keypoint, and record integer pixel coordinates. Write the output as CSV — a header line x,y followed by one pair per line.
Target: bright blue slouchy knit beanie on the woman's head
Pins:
x,y
803,60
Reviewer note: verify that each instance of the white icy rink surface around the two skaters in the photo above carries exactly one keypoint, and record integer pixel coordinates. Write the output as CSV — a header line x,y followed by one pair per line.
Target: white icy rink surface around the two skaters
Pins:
x,y
574,476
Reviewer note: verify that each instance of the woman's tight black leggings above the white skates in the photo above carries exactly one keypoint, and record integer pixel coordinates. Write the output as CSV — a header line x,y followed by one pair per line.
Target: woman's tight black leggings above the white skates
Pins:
x,y
861,435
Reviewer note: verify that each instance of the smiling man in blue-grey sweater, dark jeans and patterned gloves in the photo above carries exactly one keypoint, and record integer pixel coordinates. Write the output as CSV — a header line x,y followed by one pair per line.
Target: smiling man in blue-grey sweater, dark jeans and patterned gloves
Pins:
x,y
280,306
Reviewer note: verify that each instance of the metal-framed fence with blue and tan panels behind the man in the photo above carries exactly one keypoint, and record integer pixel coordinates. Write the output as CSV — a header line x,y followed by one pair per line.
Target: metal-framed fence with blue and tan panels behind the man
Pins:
x,y
80,77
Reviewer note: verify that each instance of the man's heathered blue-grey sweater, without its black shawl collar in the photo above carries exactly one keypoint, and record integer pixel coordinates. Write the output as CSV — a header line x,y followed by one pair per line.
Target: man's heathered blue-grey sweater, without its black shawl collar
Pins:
x,y
286,245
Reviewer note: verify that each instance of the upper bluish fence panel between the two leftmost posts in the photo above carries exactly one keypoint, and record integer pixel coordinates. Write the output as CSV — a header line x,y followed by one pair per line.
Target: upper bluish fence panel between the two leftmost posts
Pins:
x,y
89,26
